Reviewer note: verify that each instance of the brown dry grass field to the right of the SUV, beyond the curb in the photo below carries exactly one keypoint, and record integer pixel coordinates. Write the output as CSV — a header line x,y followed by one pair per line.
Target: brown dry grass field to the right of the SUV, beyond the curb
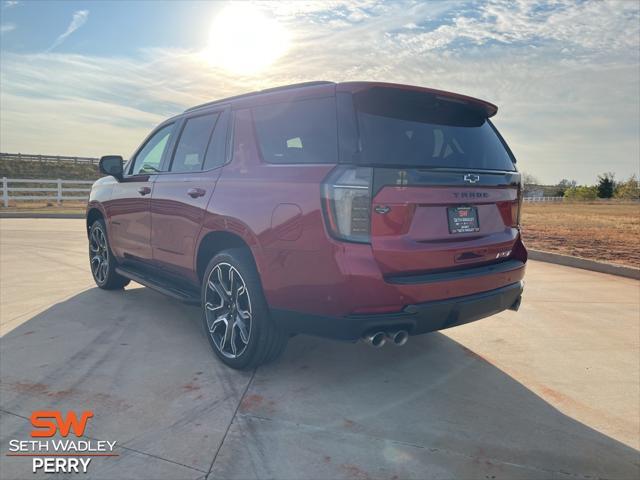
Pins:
x,y
604,231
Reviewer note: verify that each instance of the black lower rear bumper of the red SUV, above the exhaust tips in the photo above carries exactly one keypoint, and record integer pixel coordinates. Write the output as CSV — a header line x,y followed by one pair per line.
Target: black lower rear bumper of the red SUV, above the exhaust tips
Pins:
x,y
417,318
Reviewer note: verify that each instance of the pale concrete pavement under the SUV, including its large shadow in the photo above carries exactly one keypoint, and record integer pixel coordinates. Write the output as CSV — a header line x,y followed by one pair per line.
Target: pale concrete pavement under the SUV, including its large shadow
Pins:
x,y
552,391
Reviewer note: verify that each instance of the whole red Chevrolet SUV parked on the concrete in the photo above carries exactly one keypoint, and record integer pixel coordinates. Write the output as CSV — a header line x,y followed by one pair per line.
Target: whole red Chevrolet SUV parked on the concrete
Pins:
x,y
354,210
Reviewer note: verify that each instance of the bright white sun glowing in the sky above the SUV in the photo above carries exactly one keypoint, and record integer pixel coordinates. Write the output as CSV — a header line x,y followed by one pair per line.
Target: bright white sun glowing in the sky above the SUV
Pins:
x,y
244,40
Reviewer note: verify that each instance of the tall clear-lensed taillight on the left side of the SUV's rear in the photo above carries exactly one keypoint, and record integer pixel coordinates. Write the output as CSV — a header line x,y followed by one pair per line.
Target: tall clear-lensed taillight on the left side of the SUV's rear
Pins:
x,y
346,202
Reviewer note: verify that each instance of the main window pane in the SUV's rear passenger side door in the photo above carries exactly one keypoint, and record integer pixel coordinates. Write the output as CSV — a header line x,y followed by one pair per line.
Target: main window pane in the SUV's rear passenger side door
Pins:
x,y
192,144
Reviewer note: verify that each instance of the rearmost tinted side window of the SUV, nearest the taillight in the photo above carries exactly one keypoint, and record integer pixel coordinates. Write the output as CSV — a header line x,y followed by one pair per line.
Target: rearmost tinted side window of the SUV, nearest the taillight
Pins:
x,y
298,132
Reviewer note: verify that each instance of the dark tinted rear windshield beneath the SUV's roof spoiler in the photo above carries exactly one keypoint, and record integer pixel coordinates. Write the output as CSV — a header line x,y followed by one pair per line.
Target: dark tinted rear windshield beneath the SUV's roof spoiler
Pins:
x,y
423,130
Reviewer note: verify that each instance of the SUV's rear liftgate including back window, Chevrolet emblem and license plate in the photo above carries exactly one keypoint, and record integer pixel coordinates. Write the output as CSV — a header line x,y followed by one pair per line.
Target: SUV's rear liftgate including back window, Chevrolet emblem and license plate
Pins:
x,y
445,190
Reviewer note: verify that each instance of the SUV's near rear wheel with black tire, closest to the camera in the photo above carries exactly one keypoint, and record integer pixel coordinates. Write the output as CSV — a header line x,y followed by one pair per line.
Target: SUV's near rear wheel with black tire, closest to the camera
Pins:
x,y
265,342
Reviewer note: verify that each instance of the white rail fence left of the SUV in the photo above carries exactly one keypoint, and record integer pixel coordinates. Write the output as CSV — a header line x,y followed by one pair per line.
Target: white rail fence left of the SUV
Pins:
x,y
47,189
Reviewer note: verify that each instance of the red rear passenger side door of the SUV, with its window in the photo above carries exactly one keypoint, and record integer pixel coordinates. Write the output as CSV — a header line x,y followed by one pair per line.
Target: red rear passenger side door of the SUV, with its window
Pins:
x,y
180,196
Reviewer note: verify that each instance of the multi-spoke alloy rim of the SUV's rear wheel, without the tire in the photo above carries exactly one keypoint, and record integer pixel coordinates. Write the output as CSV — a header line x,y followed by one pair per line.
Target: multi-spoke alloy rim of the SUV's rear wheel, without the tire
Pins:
x,y
227,308
